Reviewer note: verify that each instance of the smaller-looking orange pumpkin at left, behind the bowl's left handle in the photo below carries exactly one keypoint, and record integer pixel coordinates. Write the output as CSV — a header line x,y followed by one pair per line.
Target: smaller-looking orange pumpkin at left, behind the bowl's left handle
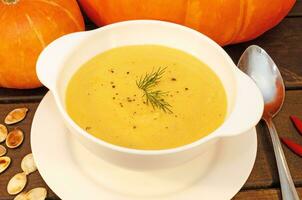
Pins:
x,y
26,27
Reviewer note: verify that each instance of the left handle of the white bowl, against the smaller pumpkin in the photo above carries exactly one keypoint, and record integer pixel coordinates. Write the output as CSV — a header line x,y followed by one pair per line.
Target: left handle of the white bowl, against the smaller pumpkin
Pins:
x,y
52,58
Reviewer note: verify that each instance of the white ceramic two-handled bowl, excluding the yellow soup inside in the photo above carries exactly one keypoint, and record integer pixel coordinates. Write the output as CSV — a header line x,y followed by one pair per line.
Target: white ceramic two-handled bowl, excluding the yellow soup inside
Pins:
x,y
63,57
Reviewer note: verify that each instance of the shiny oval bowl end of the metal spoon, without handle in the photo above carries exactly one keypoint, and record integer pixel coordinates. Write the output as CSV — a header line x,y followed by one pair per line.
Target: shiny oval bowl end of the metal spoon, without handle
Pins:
x,y
263,70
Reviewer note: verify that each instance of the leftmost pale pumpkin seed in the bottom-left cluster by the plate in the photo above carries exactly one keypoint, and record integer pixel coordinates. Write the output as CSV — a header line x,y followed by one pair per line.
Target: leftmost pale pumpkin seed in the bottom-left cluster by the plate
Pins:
x,y
16,183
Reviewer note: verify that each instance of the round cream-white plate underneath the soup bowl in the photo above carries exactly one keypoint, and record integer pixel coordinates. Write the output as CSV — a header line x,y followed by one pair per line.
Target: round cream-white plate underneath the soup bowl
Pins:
x,y
74,173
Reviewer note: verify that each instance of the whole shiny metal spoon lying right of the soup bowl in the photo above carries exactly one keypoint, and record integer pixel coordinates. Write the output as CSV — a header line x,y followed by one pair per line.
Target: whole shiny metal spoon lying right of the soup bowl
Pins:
x,y
256,63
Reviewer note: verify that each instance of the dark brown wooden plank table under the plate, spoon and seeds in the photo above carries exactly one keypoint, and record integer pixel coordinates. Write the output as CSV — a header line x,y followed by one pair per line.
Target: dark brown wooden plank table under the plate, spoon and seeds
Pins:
x,y
283,43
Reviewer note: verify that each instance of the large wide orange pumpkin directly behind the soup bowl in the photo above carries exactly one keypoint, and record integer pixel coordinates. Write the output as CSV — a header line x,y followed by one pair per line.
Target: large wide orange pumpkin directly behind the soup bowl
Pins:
x,y
227,22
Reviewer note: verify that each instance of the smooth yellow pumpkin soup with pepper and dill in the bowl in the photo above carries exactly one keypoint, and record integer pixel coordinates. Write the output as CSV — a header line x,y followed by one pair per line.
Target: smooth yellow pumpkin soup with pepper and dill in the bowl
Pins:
x,y
146,97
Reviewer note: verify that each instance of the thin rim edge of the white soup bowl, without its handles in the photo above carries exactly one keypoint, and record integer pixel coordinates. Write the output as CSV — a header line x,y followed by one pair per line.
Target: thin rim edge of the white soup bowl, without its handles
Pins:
x,y
146,152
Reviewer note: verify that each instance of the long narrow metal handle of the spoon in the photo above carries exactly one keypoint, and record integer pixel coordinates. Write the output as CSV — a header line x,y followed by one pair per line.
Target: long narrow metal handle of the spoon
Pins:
x,y
288,189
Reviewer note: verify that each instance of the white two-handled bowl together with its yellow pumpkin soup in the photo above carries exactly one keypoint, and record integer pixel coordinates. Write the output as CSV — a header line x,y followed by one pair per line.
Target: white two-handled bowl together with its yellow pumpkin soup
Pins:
x,y
148,94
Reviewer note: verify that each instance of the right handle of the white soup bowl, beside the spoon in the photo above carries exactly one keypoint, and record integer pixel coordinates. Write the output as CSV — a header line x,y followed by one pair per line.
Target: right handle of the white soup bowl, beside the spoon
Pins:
x,y
248,107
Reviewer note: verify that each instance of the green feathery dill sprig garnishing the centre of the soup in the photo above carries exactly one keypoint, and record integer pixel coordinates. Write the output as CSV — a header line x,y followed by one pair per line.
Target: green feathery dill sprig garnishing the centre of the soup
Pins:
x,y
154,97
